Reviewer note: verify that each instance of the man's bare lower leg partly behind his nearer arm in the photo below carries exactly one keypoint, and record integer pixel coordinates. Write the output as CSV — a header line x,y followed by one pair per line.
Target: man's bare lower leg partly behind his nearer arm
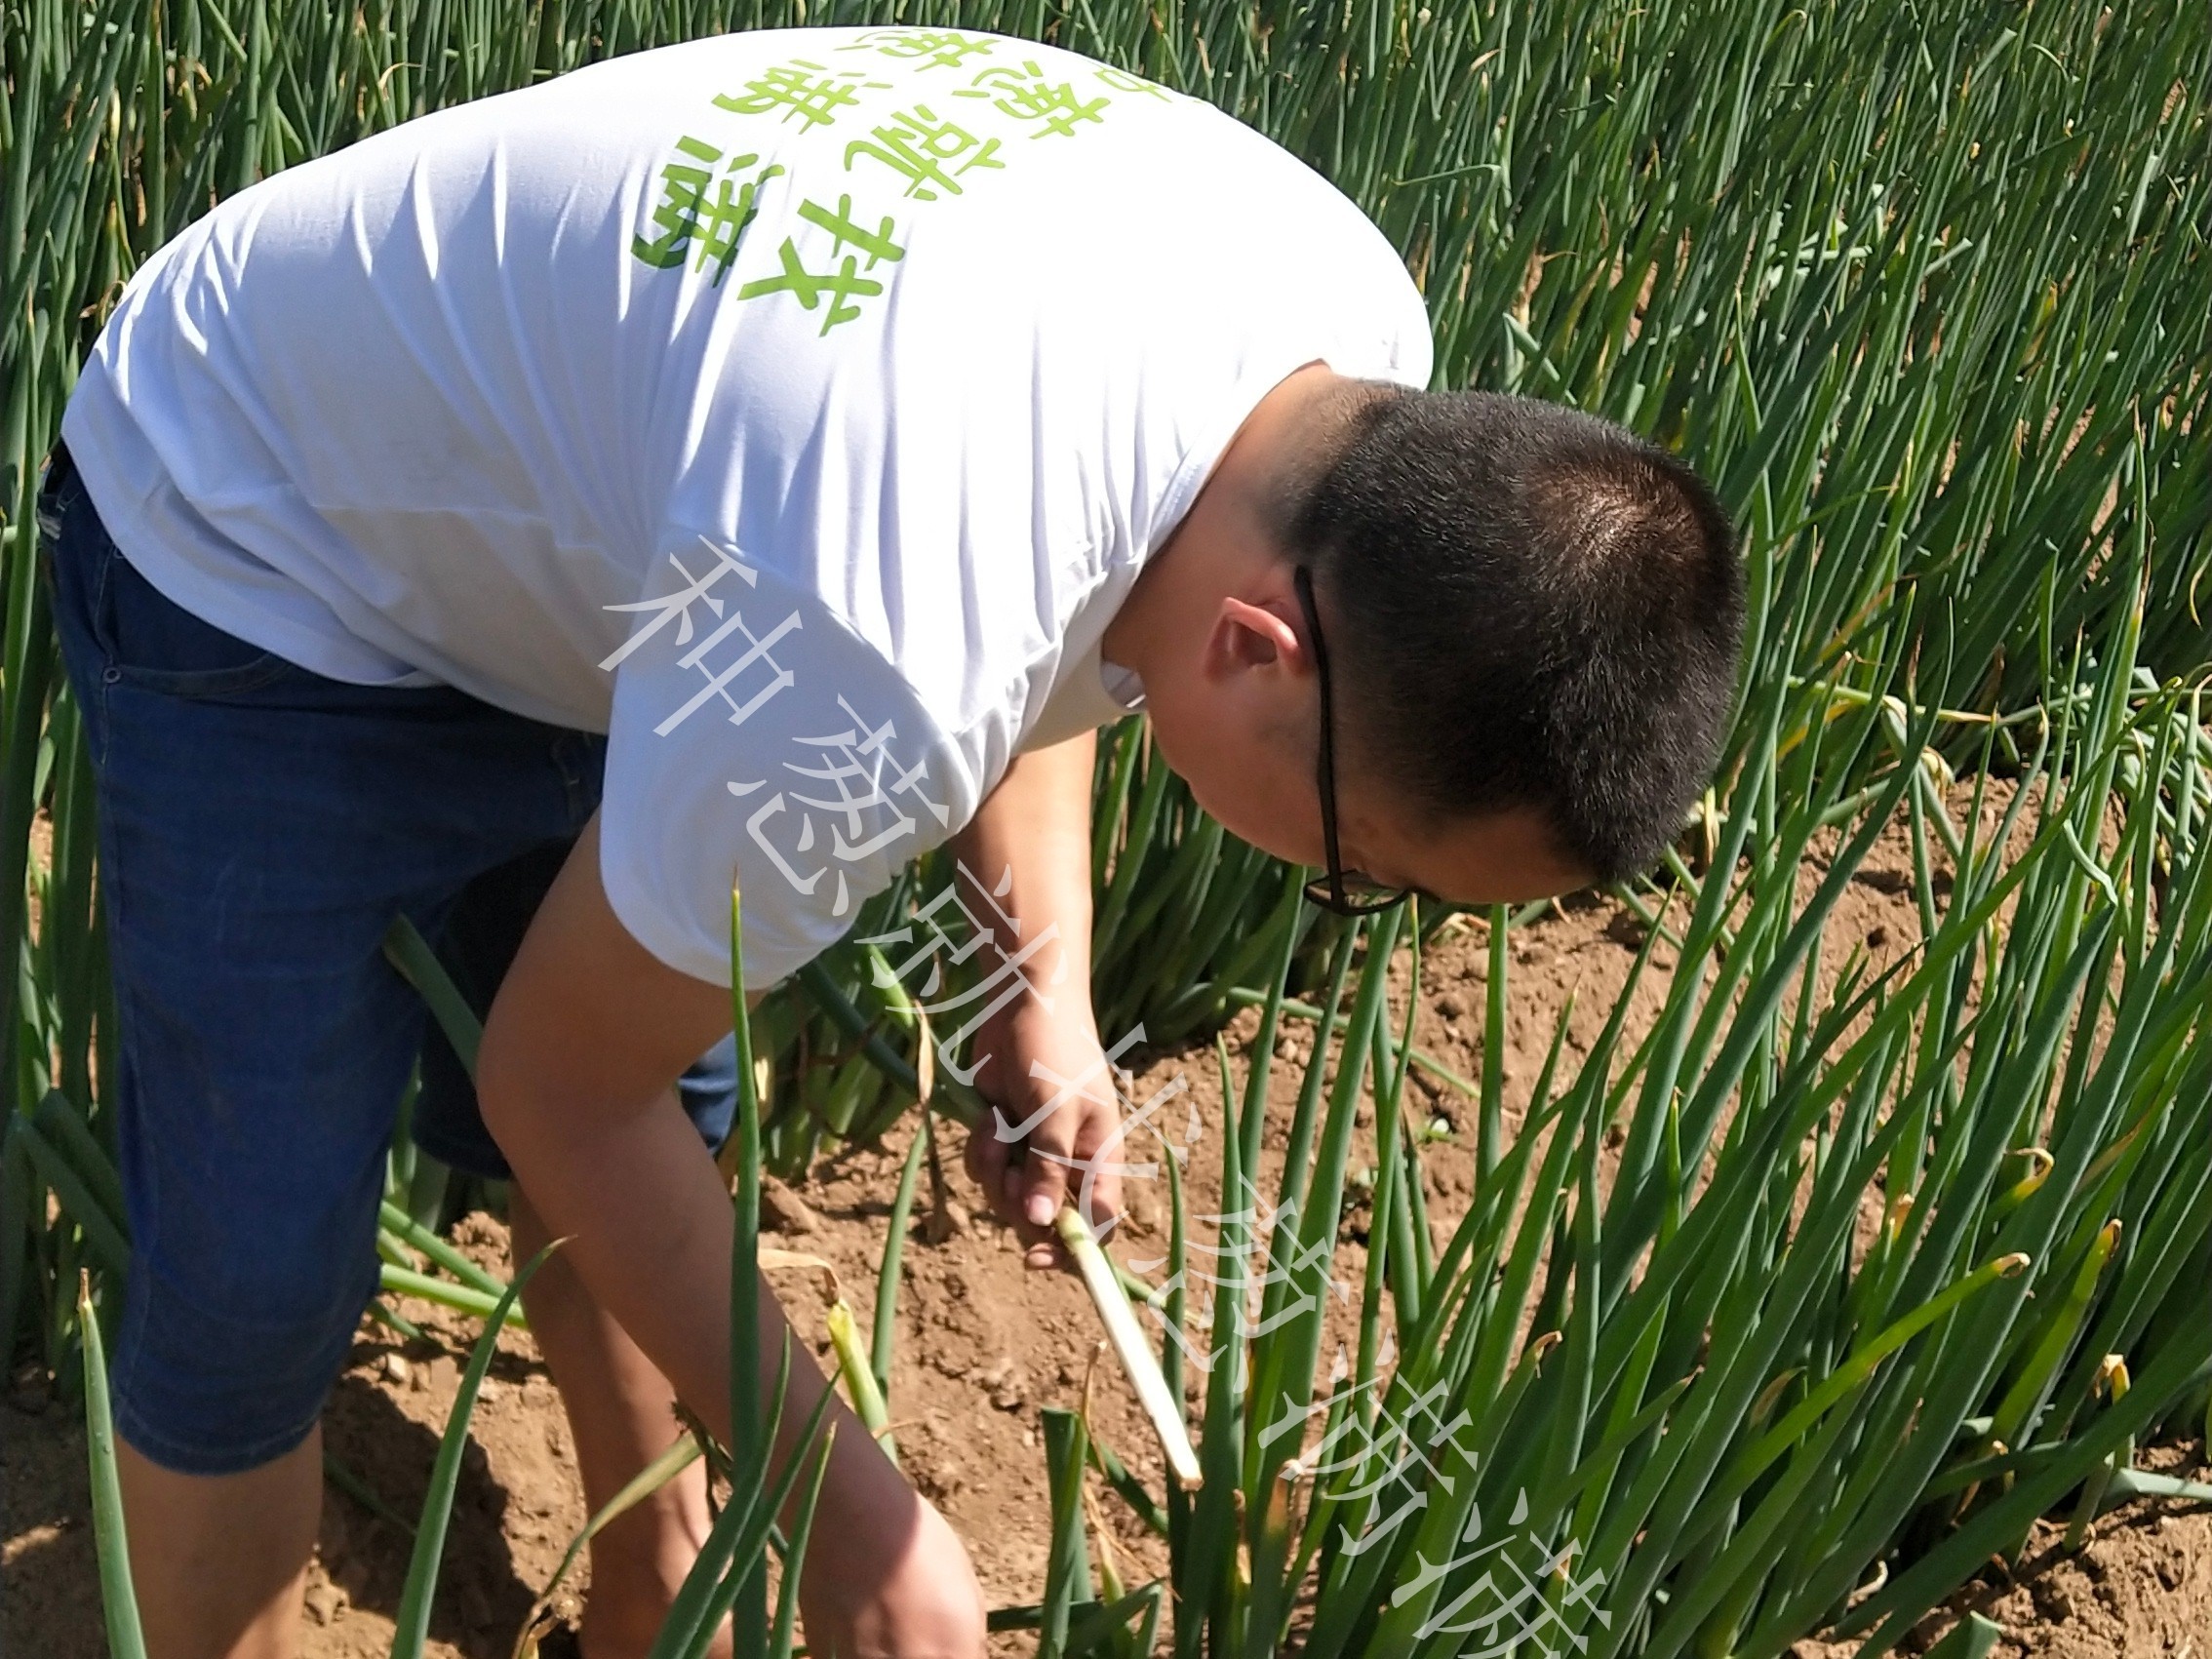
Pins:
x,y
623,1415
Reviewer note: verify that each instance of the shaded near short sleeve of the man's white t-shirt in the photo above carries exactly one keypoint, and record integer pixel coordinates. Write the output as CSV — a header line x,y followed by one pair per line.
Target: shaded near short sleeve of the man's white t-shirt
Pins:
x,y
758,742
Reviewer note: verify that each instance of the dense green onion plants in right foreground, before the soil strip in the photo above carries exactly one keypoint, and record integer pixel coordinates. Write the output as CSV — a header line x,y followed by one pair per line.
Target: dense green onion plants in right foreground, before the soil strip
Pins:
x,y
1689,1408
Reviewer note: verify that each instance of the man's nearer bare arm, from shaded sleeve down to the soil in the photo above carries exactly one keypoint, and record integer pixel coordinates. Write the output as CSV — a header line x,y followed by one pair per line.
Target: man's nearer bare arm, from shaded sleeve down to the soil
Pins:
x,y
576,1083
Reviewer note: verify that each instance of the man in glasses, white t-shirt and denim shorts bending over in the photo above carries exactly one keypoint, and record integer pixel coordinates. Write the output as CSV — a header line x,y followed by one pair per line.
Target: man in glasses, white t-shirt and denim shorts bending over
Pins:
x,y
762,459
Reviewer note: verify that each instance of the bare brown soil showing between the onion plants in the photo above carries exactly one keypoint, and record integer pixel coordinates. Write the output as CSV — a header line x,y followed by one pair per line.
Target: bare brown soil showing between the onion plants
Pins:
x,y
983,1344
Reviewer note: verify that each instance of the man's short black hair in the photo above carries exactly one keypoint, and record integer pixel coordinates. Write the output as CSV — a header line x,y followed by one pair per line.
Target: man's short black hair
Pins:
x,y
1525,607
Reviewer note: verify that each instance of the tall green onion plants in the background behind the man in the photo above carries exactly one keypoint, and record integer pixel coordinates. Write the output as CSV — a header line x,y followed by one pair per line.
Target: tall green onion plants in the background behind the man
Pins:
x,y
1917,289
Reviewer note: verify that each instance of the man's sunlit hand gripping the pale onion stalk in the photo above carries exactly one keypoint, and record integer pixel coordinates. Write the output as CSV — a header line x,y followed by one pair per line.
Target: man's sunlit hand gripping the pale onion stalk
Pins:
x,y
1054,1134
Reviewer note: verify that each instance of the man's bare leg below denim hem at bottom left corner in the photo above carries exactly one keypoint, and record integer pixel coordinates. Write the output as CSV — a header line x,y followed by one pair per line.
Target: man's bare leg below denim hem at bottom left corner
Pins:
x,y
220,1563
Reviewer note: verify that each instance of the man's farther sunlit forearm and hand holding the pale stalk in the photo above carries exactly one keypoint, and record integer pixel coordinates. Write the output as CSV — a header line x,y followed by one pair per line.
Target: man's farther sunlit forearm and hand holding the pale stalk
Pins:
x,y
1043,1052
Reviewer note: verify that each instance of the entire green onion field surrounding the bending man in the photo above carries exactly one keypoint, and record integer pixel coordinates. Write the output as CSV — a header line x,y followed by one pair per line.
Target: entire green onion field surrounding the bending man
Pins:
x,y
1928,293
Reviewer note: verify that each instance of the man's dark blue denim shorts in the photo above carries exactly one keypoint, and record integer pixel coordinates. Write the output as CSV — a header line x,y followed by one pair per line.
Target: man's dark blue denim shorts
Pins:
x,y
260,826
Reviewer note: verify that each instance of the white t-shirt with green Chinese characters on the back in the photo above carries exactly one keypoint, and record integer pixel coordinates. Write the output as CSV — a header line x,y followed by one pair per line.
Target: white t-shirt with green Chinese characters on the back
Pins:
x,y
797,408
